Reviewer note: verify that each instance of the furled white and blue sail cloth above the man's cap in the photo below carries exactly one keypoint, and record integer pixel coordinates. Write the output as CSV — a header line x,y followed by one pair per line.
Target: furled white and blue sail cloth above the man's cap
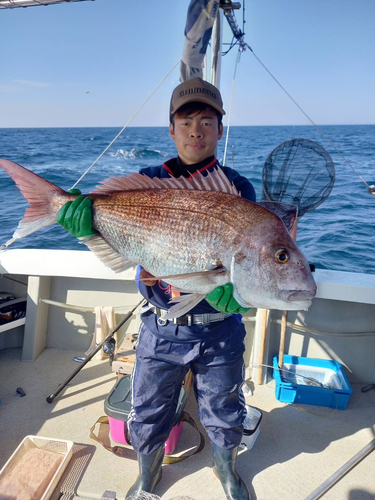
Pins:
x,y
200,19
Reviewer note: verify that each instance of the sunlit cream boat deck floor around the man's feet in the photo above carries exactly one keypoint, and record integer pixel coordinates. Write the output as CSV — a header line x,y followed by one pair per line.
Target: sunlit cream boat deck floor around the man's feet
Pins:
x,y
297,450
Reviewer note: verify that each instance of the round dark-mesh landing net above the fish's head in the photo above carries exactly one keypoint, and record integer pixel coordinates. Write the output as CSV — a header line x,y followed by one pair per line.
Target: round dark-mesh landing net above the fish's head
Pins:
x,y
299,172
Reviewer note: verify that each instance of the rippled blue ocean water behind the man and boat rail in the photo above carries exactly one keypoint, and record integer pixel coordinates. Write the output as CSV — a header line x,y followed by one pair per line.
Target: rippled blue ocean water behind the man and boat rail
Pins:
x,y
338,235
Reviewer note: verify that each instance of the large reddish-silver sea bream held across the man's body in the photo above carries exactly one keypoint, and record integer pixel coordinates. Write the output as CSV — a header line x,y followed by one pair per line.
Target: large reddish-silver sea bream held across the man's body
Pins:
x,y
194,233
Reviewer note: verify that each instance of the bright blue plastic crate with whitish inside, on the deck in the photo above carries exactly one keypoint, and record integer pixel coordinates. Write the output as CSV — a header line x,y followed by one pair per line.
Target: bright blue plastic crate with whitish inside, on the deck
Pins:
x,y
311,381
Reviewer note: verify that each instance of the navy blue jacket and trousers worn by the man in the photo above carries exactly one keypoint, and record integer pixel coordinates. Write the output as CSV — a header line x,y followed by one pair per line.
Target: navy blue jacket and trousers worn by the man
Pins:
x,y
166,351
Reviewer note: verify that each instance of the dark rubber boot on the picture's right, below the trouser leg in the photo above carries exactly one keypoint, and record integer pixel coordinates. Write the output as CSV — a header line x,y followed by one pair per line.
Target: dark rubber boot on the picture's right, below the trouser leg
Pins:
x,y
225,470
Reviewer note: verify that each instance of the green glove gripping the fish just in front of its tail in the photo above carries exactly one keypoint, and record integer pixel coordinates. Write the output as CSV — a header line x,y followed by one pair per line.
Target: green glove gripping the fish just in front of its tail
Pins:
x,y
76,216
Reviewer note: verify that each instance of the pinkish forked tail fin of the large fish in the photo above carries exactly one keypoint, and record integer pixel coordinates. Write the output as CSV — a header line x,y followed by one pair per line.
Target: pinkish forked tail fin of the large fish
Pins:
x,y
38,192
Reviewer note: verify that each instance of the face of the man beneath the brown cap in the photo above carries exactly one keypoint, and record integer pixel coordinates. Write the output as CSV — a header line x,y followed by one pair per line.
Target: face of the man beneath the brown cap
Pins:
x,y
196,136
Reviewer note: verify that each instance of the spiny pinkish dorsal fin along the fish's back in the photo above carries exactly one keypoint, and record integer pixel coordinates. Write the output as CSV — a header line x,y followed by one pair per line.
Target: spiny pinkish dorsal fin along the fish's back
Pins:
x,y
212,181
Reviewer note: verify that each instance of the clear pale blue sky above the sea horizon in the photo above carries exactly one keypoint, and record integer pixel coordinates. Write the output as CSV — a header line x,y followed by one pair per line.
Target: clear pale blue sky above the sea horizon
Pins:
x,y
322,51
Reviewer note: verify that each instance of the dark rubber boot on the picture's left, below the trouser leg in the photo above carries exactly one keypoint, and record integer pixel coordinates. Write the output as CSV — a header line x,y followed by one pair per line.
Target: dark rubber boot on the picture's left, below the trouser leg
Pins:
x,y
149,473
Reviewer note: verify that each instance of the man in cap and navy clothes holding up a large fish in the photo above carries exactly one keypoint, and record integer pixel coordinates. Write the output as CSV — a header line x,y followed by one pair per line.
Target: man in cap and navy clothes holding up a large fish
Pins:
x,y
208,342
